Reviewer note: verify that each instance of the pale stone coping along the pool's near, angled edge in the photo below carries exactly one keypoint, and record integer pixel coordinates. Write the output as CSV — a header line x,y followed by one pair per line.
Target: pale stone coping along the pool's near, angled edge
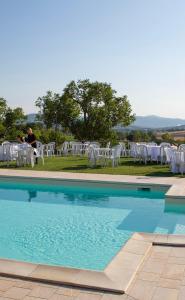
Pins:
x,y
116,277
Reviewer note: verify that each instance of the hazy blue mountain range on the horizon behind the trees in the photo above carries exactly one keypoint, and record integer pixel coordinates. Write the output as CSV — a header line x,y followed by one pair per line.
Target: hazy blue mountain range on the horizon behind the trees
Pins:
x,y
152,122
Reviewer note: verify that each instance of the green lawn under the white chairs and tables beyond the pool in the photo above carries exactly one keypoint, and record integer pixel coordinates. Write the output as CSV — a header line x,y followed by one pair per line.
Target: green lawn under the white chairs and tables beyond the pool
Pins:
x,y
80,164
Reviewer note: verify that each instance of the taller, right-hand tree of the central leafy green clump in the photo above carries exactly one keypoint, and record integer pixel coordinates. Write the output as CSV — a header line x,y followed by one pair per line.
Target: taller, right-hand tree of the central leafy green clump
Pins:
x,y
100,109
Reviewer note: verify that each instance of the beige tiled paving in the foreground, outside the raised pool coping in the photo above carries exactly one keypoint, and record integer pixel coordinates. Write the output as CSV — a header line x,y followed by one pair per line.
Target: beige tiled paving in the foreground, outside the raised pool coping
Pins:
x,y
160,277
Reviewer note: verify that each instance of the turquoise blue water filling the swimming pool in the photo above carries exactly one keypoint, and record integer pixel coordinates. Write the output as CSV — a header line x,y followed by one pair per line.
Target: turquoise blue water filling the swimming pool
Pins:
x,y
77,226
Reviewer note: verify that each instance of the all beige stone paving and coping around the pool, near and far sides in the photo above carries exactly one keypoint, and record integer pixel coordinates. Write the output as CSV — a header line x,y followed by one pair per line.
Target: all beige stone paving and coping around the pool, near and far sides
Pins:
x,y
148,267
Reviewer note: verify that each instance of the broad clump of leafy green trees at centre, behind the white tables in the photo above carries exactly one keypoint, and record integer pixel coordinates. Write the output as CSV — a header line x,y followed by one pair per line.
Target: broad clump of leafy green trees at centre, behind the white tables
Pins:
x,y
88,109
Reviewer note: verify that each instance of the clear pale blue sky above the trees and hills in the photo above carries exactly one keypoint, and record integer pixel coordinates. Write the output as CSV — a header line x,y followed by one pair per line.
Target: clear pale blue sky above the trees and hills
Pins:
x,y
136,45
